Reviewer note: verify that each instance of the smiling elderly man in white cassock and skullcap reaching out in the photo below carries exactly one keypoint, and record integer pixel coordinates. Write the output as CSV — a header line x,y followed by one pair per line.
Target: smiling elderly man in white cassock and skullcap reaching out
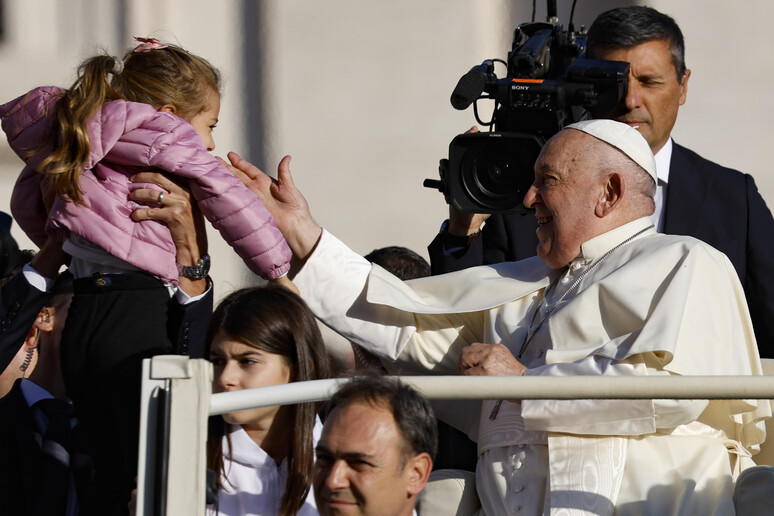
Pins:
x,y
606,295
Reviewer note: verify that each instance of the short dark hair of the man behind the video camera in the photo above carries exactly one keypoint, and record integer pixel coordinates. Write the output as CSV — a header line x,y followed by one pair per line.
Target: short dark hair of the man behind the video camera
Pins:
x,y
627,27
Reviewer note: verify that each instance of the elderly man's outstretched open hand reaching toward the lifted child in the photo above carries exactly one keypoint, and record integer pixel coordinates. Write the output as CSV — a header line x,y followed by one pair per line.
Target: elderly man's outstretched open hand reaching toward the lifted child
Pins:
x,y
283,200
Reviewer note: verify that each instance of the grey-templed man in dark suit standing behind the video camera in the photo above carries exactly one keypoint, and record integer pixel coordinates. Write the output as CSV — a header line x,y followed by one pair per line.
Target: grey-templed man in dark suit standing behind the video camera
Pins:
x,y
695,197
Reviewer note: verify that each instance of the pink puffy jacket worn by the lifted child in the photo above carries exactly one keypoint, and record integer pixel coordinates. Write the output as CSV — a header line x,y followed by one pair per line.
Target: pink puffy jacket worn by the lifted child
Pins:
x,y
124,137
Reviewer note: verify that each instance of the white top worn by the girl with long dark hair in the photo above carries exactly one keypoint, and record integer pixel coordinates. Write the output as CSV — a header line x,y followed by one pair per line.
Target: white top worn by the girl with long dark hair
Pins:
x,y
254,484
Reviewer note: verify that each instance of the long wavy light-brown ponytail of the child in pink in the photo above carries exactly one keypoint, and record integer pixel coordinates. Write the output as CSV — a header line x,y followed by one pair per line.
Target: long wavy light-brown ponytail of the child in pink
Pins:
x,y
91,89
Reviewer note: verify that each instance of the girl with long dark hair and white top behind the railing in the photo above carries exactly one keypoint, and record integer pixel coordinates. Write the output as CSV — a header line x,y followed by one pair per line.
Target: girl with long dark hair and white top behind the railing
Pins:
x,y
259,337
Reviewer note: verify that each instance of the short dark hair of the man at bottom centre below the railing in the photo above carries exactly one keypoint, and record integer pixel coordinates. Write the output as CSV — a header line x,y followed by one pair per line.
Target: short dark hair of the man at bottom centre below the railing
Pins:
x,y
412,412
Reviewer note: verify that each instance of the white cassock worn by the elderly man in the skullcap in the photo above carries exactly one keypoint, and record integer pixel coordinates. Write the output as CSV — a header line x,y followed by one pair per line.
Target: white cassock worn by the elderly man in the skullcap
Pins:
x,y
659,304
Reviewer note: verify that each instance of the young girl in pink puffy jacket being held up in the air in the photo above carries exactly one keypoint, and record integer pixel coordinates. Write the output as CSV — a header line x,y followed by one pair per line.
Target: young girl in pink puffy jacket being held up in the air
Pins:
x,y
155,109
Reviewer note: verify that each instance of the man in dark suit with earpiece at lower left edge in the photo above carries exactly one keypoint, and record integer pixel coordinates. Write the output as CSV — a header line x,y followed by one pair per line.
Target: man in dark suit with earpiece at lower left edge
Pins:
x,y
37,476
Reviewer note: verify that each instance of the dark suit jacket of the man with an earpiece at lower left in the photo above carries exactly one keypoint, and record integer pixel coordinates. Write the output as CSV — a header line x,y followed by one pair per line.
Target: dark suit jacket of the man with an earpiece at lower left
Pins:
x,y
20,457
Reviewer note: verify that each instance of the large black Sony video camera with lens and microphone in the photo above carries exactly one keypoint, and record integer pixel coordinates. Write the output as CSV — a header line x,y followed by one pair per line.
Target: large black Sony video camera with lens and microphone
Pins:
x,y
550,84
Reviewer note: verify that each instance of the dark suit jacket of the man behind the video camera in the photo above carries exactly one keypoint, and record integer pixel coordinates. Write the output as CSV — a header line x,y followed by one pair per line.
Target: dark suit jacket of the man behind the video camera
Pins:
x,y
715,204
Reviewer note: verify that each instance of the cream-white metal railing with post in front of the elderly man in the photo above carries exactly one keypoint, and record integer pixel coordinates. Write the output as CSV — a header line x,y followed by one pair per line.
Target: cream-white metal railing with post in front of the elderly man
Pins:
x,y
175,382
